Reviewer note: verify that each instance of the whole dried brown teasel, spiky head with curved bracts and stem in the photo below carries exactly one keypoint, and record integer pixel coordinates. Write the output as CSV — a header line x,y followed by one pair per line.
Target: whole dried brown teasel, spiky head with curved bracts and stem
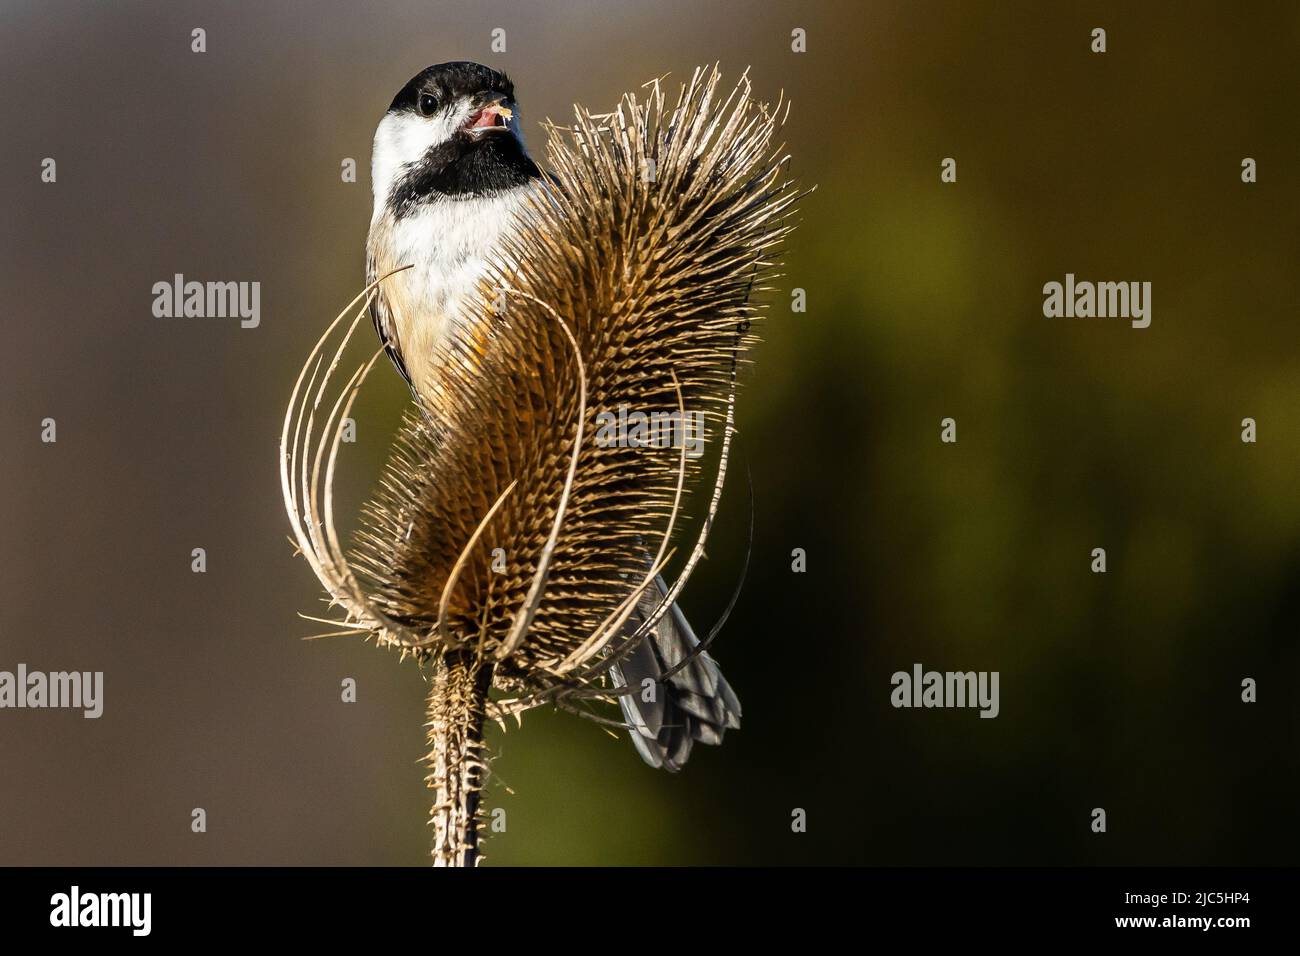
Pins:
x,y
509,548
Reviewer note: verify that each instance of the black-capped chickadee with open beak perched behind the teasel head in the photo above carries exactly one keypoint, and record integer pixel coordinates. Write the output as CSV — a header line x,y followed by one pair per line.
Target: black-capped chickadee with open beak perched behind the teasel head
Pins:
x,y
452,176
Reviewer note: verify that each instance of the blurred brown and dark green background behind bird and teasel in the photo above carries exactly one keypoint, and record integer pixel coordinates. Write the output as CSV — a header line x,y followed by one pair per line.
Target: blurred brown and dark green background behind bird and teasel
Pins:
x,y
925,301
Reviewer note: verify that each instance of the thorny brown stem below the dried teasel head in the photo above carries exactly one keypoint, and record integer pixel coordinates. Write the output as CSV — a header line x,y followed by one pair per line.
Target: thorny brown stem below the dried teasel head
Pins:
x,y
458,698
